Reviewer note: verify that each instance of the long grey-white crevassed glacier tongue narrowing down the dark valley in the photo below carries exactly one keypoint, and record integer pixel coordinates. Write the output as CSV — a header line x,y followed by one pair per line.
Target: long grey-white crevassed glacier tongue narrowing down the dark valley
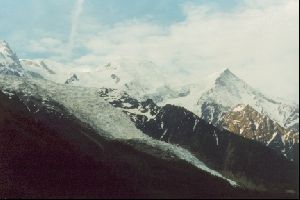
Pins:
x,y
86,105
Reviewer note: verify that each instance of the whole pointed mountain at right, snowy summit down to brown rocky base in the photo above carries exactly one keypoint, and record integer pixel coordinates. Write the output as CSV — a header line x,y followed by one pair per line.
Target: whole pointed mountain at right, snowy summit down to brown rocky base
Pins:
x,y
224,91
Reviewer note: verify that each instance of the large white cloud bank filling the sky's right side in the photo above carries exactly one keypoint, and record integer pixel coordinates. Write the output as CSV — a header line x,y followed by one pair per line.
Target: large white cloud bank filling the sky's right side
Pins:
x,y
258,40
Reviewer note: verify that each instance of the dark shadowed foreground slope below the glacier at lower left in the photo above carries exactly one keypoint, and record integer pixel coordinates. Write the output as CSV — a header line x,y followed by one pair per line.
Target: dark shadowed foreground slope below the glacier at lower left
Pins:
x,y
53,154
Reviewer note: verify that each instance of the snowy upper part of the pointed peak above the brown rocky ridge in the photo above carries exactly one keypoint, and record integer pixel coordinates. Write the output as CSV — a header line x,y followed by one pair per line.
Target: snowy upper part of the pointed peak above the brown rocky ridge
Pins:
x,y
229,91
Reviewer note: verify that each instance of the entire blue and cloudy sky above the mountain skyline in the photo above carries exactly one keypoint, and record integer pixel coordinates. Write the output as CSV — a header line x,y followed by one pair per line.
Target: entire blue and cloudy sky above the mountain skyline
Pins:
x,y
256,39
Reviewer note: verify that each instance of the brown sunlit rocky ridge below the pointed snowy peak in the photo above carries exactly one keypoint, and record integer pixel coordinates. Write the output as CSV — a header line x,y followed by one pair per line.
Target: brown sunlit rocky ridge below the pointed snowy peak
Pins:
x,y
247,122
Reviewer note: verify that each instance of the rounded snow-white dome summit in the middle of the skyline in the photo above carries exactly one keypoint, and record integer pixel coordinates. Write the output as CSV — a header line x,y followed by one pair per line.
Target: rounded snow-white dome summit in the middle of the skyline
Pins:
x,y
138,78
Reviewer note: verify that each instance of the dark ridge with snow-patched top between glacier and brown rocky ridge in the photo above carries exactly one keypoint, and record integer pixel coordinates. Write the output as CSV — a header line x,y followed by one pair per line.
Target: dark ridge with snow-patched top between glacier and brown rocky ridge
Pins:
x,y
233,155
